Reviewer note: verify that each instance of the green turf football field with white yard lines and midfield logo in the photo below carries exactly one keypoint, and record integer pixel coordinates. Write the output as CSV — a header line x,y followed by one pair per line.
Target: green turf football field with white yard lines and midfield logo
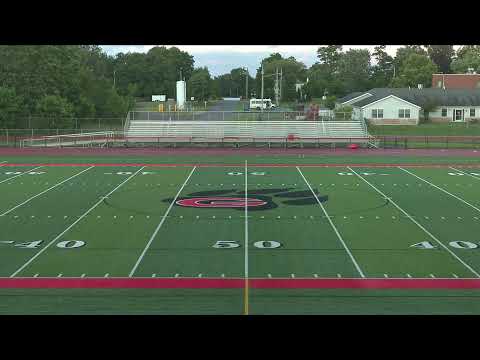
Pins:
x,y
241,236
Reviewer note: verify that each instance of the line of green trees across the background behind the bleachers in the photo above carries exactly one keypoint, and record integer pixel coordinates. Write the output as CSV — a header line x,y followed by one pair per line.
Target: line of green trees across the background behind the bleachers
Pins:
x,y
63,82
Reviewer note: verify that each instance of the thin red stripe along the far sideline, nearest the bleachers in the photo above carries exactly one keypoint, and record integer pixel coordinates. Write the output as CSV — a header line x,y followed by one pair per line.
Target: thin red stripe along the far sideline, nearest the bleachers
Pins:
x,y
258,165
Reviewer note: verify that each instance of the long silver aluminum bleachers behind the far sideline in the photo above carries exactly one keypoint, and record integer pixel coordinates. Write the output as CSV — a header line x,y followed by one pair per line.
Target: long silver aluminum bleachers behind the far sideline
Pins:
x,y
301,132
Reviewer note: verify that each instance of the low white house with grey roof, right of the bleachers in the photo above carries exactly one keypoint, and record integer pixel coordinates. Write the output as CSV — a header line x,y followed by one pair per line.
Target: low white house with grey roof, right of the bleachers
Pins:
x,y
405,106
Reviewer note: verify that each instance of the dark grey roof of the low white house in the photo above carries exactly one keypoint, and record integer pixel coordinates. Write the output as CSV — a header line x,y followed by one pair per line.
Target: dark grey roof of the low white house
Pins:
x,y
420,97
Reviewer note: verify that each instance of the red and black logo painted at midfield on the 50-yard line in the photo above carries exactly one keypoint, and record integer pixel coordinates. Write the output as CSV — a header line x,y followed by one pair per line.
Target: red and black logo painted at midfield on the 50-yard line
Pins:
x,y
263,199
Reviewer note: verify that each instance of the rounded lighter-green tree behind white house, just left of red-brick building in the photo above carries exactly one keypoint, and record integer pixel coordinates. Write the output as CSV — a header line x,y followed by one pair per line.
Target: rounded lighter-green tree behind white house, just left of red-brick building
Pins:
x,y
416,69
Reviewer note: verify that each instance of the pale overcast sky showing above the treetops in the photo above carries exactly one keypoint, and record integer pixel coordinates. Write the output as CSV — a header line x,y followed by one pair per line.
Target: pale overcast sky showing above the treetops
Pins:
x,y
220,59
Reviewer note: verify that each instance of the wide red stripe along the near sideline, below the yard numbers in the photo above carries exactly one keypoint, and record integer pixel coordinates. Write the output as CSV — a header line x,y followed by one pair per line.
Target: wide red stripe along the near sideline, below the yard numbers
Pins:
x,y
220,283
